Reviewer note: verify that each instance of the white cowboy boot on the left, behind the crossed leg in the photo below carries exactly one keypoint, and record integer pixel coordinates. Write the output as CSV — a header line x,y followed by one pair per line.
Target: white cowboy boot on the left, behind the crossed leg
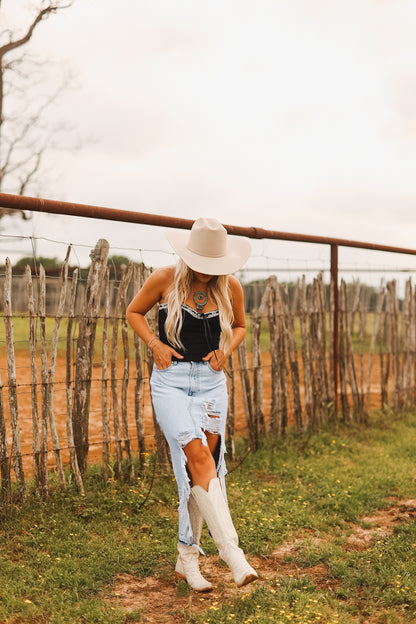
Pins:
x,y
187,564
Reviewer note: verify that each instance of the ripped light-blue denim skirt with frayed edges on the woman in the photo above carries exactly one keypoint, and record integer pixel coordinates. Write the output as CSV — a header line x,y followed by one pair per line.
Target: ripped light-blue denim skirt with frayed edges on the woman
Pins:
x,y
189,399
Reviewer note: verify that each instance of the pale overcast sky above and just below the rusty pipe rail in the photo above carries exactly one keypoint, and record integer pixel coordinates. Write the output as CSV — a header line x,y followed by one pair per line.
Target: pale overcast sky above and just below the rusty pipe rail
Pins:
x,y
292,115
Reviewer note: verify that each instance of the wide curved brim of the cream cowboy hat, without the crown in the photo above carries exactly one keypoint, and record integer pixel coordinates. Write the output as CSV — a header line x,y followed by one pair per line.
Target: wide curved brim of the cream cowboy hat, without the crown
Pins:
x,y
238,252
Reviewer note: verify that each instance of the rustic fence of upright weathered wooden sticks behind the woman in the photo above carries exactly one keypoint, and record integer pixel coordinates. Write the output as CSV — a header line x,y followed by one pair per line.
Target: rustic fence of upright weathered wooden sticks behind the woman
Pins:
x,y
284,379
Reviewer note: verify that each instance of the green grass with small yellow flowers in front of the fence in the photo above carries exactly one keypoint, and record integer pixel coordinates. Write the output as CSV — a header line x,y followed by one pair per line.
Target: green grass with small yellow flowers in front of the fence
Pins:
x,y
58,559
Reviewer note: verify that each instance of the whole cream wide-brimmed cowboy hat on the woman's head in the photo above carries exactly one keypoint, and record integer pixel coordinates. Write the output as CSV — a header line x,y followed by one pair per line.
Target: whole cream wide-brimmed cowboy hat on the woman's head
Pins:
x,y
207,248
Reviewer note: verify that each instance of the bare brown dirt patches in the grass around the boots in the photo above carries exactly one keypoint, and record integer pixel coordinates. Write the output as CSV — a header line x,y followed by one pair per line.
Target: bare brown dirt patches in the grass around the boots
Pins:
x,y
161,603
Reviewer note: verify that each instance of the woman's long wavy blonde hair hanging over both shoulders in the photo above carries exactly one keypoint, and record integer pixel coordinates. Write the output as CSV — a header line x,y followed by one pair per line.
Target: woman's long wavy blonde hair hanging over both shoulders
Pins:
x,y
217,289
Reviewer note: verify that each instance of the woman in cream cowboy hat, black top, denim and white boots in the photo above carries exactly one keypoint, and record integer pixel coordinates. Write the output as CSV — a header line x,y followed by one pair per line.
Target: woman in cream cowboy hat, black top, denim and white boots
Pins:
x,y
201,321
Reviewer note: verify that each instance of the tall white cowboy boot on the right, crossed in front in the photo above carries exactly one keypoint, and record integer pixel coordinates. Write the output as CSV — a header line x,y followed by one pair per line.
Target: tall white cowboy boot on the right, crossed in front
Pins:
x,y
214,509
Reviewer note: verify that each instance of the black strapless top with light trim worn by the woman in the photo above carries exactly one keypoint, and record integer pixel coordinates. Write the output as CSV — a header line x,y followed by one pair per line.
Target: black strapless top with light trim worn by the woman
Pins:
x,y
200,332
